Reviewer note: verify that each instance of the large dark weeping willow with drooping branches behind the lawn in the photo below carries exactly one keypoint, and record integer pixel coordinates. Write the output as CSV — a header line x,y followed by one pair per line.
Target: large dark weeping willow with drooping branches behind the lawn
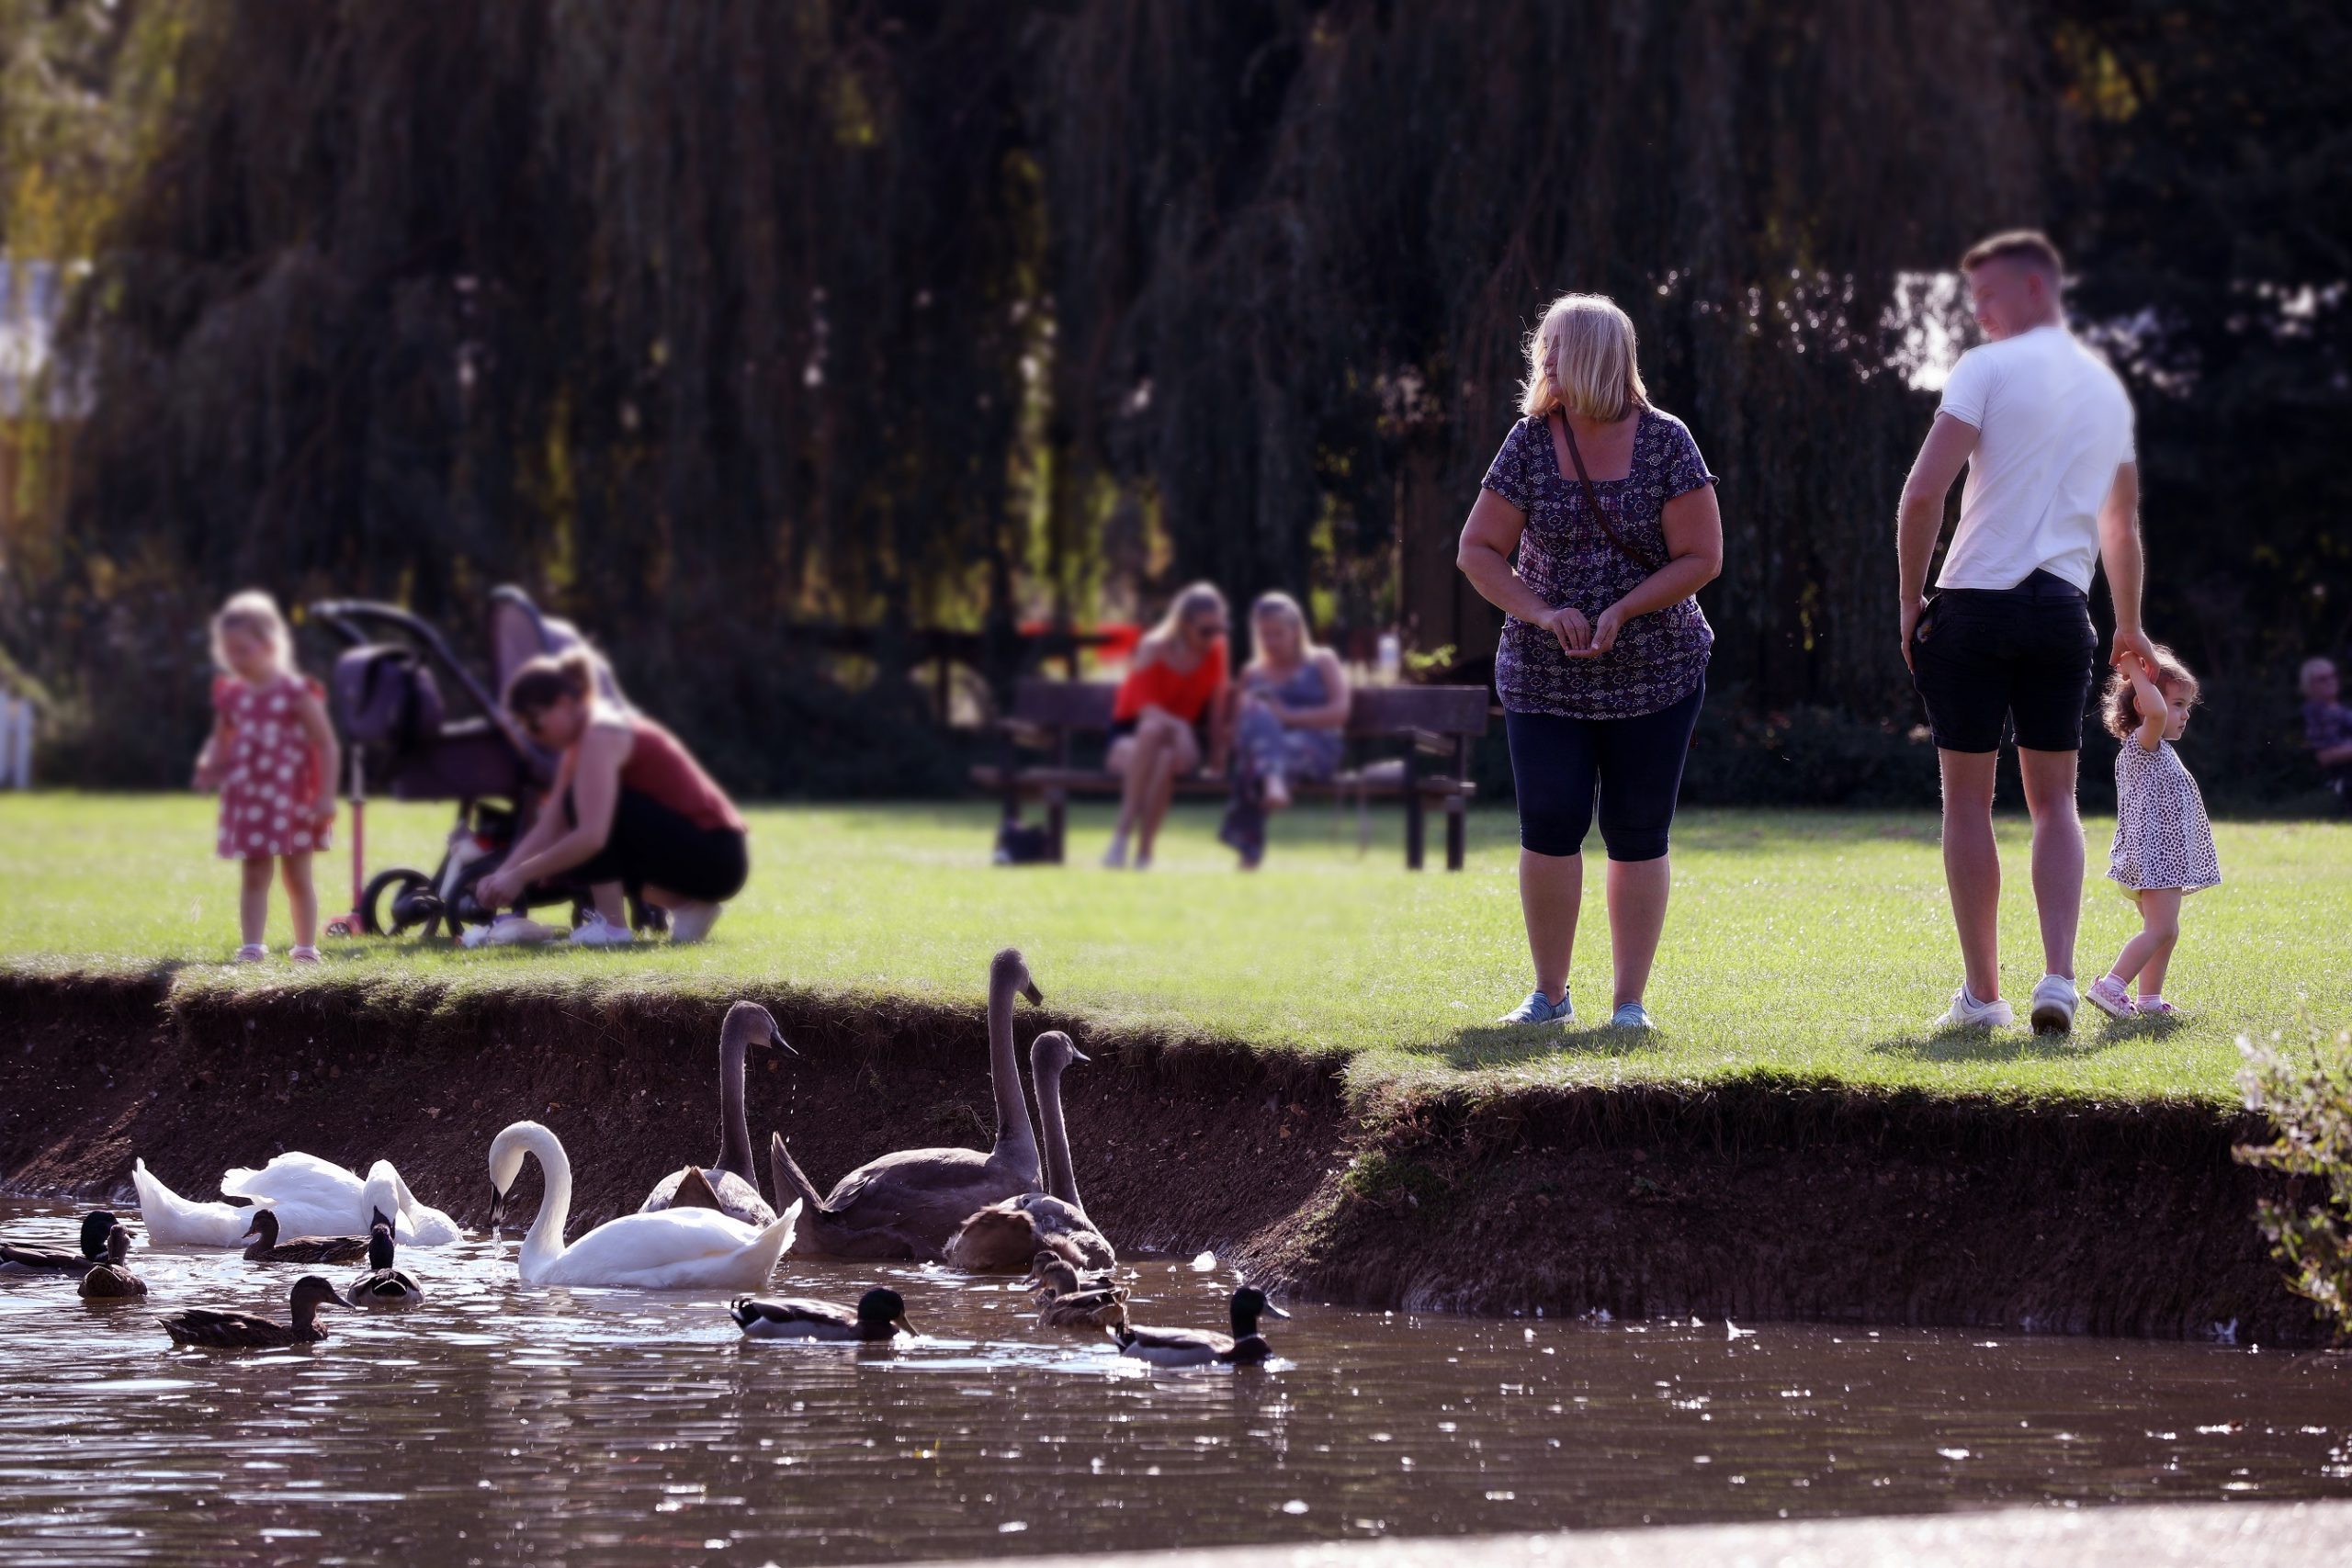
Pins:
x,y
723,321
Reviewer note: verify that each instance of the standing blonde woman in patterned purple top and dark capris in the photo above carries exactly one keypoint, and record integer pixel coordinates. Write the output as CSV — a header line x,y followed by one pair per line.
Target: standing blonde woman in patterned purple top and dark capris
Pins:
x,y
1605,657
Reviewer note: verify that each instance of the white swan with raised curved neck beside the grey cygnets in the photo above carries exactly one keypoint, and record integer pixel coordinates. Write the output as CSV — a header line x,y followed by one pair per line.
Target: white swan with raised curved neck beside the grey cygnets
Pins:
x,y
671,1249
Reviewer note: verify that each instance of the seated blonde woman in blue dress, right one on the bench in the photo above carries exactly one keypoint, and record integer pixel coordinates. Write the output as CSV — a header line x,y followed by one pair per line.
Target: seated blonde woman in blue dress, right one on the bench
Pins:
x,y
1292,706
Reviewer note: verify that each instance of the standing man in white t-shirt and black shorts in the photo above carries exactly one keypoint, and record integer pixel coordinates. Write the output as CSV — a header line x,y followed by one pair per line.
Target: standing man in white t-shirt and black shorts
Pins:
x,y
2045,431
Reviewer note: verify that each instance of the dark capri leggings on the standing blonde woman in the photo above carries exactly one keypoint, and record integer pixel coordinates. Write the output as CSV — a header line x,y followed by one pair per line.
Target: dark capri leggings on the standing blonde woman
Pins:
x,y
1633,765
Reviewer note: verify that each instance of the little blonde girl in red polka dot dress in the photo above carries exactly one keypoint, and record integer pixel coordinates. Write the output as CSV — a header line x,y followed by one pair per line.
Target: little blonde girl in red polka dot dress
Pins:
x,y
274,760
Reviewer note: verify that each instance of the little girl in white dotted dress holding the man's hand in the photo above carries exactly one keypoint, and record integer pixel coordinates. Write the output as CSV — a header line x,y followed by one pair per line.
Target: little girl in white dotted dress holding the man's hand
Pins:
x,y
2163,838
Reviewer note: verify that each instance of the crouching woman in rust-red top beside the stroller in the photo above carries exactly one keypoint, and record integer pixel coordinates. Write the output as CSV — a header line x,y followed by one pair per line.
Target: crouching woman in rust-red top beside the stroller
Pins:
x,y
629,812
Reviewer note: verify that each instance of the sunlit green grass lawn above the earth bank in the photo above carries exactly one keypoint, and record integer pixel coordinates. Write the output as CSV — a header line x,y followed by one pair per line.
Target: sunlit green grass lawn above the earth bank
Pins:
x,y
1803,944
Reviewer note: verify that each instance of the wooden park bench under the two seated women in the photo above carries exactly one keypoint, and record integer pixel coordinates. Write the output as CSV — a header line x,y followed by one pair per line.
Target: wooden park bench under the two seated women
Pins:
x,y
1053,716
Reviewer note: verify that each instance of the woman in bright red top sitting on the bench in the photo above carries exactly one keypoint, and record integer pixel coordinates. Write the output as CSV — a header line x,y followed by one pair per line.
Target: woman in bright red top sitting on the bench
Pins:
x,y
1175,688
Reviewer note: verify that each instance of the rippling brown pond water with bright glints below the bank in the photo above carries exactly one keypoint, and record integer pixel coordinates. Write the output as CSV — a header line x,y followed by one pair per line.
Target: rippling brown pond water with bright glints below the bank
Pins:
x,y
627,1428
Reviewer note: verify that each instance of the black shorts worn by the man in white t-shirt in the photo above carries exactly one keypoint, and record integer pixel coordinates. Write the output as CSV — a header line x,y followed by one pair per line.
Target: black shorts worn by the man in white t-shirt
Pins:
x,y
2024,655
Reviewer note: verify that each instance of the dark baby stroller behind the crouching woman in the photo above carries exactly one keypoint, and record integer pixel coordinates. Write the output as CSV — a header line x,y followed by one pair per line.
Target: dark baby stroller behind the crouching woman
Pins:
x,y
392,706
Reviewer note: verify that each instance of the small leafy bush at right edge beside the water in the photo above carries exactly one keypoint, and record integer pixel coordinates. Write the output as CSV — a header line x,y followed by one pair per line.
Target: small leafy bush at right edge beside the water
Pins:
x,y
2306,1092
